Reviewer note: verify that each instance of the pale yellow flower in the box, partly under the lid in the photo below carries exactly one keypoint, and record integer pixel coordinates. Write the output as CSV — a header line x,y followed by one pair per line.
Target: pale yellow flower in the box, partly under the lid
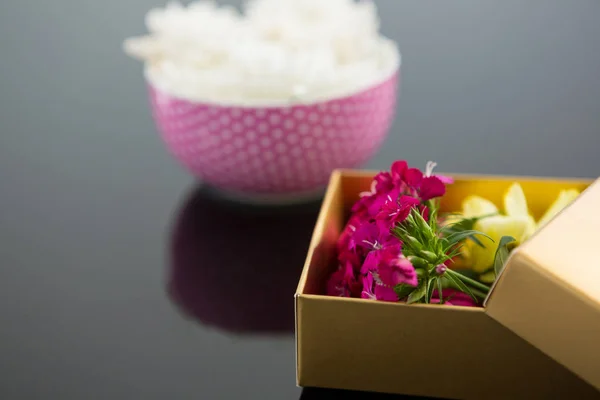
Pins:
x,y
516,222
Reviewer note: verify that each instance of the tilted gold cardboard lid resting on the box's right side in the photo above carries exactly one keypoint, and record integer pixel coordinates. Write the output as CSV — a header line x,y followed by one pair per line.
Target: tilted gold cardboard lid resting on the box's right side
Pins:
x,y
549,290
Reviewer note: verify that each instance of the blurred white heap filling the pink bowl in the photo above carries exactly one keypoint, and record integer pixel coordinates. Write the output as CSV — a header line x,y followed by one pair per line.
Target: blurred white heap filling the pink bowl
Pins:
x,y
277,52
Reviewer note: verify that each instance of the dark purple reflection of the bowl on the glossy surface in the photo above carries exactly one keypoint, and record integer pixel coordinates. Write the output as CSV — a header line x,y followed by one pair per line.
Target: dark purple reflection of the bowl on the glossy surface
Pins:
x,y
236,267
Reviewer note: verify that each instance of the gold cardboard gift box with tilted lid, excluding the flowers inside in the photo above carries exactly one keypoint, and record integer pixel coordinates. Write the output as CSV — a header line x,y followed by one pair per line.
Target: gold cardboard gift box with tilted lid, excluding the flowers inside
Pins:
x,y
535,337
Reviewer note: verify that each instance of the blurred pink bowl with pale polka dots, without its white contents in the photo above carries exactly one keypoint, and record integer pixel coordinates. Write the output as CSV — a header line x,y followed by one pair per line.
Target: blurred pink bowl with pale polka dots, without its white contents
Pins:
x,y
275,154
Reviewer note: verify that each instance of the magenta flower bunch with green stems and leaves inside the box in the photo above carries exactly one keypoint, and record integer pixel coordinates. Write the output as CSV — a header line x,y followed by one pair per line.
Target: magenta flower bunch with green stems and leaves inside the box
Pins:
x,y
397,246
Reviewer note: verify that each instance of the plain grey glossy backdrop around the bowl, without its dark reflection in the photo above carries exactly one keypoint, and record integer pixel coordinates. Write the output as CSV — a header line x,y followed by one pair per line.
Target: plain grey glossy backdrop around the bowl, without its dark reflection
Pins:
x,y
87,191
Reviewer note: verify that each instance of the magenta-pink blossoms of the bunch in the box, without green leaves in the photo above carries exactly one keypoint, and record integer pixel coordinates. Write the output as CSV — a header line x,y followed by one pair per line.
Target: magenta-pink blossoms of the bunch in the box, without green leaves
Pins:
x,y
370,257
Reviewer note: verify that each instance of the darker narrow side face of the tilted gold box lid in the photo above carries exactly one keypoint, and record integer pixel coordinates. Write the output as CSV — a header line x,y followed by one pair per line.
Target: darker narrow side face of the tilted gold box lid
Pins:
x,y
554,318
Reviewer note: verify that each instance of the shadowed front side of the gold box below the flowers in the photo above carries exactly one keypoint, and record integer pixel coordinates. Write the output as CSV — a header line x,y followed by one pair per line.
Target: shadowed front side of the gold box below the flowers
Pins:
x,y
423,350
